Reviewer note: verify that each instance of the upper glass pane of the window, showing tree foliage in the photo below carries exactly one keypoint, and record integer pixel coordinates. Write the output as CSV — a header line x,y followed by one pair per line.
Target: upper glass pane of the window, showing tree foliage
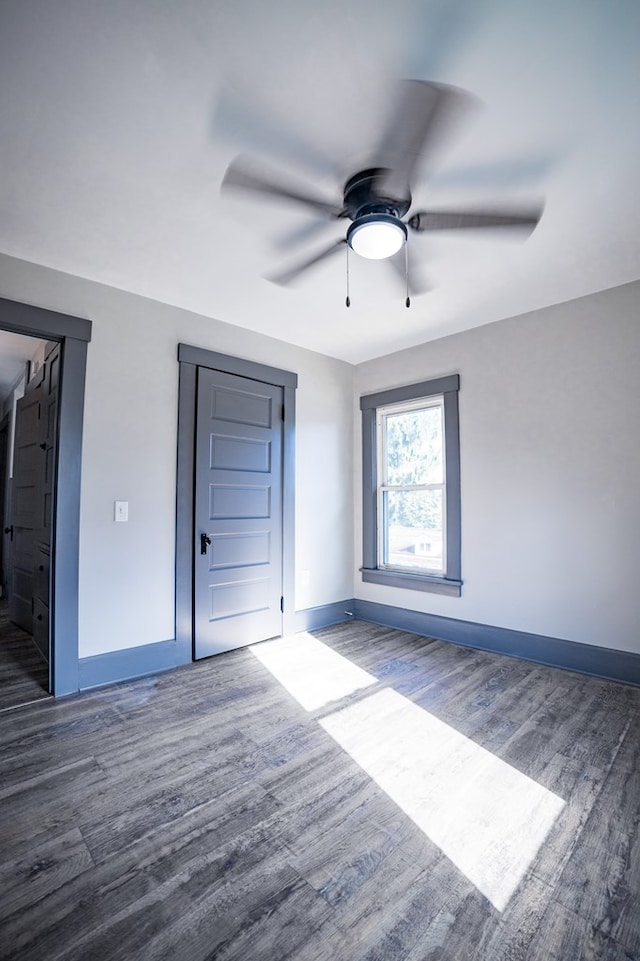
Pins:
x,y
414,447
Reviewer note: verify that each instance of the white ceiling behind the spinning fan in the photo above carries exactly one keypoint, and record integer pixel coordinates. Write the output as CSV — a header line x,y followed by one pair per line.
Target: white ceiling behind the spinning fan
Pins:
x,y
118,120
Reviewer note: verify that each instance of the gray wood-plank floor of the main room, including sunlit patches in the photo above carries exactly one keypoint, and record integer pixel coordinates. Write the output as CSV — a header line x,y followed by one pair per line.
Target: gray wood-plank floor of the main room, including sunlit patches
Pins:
x,y
358,793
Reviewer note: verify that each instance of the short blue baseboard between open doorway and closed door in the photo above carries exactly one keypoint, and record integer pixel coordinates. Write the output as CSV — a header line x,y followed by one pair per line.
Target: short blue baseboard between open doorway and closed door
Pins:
x,y
129,663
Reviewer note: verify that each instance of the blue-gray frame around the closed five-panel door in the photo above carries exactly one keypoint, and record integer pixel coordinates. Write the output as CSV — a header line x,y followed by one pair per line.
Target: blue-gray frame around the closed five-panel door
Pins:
x,y
189,359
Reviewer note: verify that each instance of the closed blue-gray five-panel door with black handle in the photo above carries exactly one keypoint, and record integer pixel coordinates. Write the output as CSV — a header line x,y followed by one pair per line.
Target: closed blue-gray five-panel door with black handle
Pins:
x,y
238,512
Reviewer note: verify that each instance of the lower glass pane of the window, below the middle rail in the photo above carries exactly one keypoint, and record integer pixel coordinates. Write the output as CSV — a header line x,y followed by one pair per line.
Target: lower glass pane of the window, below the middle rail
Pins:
x,y
413,529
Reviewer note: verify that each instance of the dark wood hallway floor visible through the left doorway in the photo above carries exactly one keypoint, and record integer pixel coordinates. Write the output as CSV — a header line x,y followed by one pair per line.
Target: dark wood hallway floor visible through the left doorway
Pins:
x,y
24,674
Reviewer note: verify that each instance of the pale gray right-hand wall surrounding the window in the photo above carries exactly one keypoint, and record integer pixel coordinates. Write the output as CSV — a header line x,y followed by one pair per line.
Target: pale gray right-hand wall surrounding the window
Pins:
x,y
550,461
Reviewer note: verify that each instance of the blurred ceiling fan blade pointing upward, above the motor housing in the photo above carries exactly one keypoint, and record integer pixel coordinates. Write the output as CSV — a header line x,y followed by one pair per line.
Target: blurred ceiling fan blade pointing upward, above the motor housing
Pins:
x,y
424,114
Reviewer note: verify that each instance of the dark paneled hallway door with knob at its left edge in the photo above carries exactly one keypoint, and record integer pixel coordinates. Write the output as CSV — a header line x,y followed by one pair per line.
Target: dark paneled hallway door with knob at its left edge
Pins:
x,y
26,463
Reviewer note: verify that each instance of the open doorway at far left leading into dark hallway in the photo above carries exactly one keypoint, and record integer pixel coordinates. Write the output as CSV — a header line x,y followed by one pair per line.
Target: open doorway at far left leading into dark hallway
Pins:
x,y
29,368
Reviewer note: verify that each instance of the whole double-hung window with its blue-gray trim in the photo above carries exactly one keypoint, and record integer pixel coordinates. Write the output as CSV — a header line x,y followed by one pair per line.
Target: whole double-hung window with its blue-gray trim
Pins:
x,y
411,487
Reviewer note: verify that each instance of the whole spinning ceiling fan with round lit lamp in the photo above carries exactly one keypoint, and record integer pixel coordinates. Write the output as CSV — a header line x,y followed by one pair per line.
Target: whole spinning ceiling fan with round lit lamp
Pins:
x,y
376,199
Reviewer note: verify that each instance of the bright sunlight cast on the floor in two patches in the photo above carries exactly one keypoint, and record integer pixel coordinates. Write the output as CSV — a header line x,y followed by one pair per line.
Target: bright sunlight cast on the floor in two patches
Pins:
x,y
487,817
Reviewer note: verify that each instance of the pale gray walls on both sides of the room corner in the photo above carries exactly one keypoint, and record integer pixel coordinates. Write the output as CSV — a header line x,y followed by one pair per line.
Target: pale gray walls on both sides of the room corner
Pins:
x,y
550,415
